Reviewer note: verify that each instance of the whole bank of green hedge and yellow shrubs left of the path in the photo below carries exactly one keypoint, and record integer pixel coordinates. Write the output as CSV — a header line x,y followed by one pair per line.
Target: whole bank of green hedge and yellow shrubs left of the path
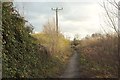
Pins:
x,y
28,55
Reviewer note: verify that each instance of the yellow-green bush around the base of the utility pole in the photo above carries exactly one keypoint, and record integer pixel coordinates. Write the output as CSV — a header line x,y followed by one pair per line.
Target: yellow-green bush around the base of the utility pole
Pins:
x,y
61,48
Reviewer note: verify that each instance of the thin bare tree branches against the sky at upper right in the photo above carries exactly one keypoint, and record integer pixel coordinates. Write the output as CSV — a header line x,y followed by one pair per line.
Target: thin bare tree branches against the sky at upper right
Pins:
x,y
111,8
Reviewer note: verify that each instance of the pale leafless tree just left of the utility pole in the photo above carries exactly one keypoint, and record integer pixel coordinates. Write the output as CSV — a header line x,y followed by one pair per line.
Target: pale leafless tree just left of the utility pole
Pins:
x,y
50,30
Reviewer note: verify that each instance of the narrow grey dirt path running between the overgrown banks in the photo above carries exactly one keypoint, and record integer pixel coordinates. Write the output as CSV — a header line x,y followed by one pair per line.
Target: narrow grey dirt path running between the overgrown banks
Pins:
x,y
72,70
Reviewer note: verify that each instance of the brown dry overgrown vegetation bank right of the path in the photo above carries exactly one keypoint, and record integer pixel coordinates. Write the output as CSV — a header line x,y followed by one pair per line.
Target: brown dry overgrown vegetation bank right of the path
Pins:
x,y
99,56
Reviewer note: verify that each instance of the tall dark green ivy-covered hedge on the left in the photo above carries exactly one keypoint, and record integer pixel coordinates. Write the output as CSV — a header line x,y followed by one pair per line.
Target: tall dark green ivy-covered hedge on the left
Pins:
x,y
21,56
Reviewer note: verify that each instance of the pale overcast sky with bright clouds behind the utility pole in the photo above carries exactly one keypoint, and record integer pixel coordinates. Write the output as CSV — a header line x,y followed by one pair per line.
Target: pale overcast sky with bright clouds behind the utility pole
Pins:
x,y
80,17
